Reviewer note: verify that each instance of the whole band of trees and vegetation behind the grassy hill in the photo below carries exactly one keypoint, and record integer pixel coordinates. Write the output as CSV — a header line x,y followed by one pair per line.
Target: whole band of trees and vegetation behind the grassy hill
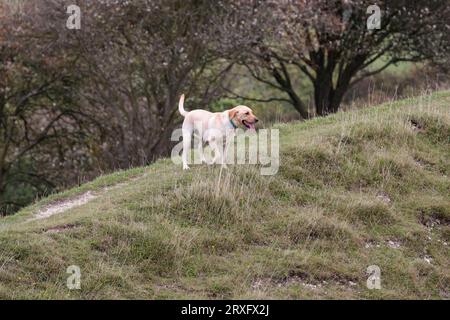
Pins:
x,y
75,104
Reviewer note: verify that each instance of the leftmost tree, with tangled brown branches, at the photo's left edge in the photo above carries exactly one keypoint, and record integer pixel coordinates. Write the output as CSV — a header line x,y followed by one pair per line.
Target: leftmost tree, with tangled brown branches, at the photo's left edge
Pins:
x,y
40,132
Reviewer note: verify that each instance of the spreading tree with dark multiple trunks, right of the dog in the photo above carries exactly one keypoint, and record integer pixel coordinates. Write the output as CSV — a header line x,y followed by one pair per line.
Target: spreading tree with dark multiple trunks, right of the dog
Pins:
x,y
328,42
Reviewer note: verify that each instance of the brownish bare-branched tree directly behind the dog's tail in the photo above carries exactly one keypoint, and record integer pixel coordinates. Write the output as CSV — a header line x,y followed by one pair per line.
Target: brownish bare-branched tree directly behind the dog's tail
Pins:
x,y
138,57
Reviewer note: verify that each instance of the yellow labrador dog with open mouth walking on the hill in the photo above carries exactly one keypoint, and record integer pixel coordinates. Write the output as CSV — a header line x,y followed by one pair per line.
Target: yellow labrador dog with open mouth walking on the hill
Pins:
x,y
213,128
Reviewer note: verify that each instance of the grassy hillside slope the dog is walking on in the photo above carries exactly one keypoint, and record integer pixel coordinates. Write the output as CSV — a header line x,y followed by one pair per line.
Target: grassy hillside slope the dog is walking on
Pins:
x,y
353,190
